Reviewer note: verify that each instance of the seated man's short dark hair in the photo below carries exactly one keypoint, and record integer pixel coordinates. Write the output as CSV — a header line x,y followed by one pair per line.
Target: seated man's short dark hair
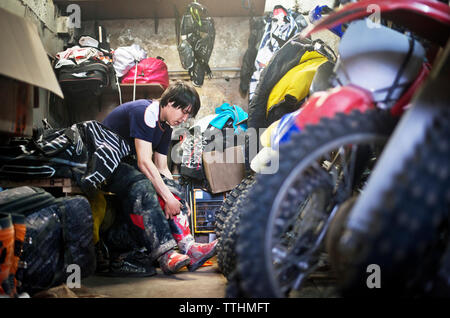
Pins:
x,y
183,95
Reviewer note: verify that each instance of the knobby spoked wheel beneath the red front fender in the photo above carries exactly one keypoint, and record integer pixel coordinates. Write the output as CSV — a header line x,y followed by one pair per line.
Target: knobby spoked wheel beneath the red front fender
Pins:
x,y
287,213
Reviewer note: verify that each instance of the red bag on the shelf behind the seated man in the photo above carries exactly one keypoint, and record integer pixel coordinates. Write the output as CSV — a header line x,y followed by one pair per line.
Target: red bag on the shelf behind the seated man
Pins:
x,y
149,70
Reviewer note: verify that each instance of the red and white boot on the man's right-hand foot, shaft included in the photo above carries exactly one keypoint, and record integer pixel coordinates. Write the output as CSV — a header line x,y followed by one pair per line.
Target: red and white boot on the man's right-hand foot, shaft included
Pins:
x,y
198,253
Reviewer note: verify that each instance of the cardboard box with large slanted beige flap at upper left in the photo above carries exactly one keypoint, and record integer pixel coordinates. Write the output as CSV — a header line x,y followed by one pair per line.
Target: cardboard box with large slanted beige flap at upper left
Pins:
x,y
24,64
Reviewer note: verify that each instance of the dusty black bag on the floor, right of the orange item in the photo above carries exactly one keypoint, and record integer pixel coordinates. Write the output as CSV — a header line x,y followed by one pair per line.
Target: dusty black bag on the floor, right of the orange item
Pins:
x,y
59,232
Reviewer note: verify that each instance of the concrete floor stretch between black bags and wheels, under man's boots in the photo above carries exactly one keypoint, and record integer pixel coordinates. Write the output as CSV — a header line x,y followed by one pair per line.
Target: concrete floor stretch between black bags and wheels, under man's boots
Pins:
x,y
205,282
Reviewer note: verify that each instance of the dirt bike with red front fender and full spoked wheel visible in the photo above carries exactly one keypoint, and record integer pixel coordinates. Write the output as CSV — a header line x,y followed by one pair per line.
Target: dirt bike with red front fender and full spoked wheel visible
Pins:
x,y
327,164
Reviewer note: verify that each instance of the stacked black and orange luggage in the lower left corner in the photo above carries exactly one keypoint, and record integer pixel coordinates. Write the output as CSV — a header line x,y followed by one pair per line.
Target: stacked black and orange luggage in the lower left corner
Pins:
x,y
42,239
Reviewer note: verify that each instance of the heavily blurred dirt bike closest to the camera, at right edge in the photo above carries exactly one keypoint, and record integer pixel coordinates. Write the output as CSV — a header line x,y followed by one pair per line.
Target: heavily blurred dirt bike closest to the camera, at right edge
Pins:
x,y
400,222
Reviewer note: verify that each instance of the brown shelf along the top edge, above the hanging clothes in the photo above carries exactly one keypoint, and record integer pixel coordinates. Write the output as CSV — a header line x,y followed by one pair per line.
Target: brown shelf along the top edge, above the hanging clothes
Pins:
x,y
139,9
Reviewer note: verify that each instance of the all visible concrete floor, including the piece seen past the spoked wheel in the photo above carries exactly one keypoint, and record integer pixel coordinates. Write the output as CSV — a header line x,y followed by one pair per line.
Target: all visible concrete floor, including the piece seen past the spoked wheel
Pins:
x,y
206,282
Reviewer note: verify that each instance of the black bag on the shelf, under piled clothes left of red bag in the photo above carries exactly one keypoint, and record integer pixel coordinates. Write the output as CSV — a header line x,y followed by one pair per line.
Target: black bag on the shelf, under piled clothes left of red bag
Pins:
x,y
87,79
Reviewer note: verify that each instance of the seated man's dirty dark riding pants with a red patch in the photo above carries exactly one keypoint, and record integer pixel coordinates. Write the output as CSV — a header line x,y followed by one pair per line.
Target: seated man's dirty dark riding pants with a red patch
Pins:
x,y
146,221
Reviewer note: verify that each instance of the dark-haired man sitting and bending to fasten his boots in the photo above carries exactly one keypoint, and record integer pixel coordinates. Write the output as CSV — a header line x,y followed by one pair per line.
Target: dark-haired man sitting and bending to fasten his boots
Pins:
x,y
153,209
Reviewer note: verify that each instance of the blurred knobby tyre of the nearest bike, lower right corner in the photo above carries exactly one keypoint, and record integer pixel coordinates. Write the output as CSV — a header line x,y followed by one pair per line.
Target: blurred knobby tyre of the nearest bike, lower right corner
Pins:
x,y
409,227
